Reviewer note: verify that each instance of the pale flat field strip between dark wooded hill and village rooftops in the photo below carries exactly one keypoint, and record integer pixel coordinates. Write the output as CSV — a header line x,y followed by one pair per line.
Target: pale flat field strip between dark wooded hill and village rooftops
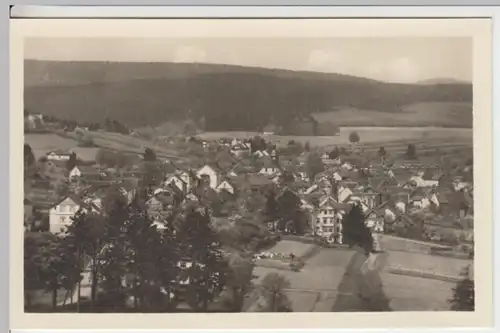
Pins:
x,y
371,137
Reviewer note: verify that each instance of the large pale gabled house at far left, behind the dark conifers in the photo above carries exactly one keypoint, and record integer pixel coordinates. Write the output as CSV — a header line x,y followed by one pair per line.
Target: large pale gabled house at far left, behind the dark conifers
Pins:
x,y
62,212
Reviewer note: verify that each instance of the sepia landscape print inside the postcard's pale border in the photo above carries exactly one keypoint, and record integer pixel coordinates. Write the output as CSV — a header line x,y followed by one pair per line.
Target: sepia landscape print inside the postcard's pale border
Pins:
x,y
233,175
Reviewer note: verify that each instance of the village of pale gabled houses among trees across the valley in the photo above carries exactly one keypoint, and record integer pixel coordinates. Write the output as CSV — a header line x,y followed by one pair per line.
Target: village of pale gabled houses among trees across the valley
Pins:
x,y
256,194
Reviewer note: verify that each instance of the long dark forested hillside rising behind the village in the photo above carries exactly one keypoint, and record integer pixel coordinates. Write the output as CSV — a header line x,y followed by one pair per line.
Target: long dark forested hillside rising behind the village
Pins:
x,y
229,97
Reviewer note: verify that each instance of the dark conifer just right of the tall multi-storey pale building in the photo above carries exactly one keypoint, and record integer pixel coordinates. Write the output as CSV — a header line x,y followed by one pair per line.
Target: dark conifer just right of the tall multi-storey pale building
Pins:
x,y
355,231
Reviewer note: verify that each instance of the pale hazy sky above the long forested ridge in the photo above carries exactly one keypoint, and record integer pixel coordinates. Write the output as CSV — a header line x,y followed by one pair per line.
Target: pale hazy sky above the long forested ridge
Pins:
x,y
402,59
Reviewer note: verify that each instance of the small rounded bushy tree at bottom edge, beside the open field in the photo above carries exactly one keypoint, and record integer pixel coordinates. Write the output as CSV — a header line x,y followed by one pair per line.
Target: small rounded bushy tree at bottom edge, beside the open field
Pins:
x,y
272,289
